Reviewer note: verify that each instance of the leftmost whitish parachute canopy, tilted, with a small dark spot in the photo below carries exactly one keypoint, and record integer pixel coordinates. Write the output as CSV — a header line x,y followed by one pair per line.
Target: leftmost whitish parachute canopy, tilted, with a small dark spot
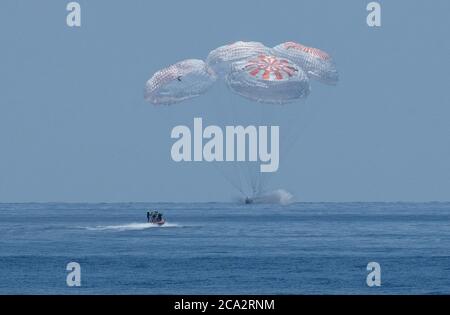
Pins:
x,y
181,81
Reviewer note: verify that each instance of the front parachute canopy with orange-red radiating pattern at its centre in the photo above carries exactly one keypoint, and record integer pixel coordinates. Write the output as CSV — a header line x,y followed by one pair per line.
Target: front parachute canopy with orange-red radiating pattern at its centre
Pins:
x,y
268,79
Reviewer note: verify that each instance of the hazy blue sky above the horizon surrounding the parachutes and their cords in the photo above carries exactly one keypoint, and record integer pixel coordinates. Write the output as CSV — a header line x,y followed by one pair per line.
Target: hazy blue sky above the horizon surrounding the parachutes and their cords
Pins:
x,y
74,125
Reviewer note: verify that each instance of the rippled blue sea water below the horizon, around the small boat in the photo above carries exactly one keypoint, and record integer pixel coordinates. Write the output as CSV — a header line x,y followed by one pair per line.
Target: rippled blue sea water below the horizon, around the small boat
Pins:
x,y
225,248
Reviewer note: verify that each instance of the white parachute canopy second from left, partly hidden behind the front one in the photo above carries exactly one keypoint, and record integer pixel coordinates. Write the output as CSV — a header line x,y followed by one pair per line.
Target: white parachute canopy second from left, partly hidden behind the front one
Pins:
x,y
221,59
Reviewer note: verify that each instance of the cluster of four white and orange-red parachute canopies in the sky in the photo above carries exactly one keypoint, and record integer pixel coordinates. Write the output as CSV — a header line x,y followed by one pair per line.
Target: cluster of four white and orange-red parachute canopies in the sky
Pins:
x,y
275,75
